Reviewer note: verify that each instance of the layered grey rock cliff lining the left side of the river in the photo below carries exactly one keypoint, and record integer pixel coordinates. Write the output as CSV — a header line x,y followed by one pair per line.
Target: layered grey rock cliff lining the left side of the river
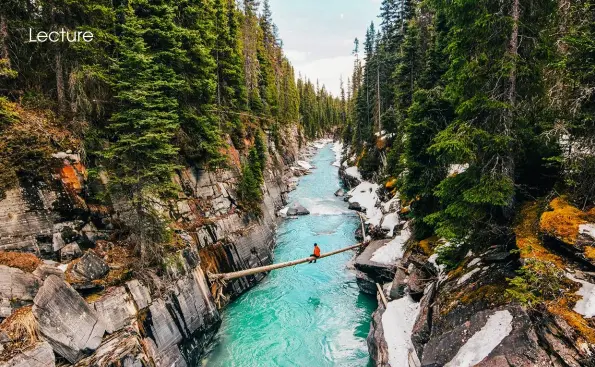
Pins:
x,y
86,299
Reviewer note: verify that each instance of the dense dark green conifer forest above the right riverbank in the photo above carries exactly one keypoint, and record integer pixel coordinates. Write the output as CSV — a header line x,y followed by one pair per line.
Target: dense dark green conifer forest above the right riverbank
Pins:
x,y
474,107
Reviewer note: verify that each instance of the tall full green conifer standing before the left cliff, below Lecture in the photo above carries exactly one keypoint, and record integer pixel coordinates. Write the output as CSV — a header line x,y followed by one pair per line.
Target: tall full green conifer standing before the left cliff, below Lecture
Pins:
x,y
141,155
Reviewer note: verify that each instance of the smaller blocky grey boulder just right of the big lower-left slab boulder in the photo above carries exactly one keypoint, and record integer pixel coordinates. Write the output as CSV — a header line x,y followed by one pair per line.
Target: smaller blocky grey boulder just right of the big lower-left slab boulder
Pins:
x,y
115,309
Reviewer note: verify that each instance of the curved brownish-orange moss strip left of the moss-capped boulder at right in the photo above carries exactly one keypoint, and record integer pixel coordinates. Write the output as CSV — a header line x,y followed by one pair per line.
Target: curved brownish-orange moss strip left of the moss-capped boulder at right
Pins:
x,y
527,236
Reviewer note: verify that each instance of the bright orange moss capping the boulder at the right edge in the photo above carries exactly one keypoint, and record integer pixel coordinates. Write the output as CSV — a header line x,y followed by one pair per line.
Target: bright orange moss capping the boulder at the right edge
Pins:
x,y
563,220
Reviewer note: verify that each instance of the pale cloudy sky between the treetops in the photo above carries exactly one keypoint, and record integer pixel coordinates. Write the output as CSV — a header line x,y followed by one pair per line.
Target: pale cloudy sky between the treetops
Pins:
x,y
318,35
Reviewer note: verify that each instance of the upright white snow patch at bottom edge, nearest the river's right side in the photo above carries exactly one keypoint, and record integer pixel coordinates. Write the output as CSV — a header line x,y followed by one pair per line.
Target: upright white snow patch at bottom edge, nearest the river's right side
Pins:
x,y
397,322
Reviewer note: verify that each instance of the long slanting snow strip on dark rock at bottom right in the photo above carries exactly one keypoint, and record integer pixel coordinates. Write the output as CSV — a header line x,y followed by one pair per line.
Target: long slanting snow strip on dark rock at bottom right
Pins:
x,y
481,344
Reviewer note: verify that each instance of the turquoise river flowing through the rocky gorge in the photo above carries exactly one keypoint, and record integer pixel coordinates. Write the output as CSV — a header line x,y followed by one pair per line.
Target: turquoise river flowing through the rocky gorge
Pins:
x,y
309,315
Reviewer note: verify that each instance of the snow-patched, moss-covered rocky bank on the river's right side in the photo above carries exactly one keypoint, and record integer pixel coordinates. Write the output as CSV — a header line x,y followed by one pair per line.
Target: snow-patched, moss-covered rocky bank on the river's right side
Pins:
x,y
468,314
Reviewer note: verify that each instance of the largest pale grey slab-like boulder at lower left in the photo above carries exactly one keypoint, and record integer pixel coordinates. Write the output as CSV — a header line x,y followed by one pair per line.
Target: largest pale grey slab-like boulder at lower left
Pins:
x,y
66,321
